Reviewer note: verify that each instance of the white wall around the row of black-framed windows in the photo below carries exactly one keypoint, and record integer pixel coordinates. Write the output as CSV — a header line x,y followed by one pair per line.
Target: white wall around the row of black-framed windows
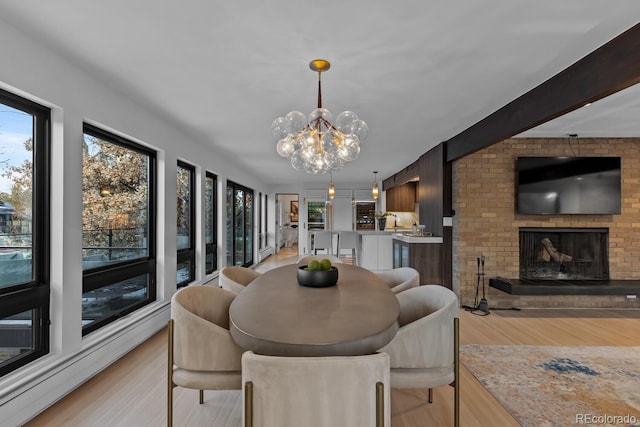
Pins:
x,y
32,70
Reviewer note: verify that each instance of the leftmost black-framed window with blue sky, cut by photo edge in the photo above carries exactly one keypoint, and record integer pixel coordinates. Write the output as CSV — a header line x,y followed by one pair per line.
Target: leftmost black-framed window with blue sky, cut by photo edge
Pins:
x,y
24,236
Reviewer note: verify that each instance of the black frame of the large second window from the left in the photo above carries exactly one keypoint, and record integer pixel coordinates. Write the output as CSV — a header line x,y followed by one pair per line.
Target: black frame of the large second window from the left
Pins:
x,y
98,277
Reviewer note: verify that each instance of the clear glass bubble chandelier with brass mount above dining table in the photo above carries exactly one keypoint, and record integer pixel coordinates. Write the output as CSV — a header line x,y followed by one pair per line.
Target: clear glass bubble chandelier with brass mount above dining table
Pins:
x,y
316,145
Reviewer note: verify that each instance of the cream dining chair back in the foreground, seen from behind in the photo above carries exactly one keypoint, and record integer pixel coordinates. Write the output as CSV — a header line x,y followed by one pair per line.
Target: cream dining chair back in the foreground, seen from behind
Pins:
x,y
316,391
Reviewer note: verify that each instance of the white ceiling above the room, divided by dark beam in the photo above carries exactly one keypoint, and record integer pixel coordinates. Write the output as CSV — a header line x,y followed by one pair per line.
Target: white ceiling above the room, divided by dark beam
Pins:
x,y
418,72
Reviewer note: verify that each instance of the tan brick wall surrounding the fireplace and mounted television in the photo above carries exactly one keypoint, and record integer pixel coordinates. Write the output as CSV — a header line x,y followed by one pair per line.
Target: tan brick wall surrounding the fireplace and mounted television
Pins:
x,y
486,223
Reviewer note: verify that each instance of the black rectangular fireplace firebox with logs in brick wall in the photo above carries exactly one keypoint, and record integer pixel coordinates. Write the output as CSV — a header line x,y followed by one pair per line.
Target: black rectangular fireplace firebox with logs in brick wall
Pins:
x,y
564,253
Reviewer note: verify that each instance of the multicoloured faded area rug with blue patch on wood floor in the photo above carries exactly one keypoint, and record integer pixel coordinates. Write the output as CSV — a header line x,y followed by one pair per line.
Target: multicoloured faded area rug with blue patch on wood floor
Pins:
x,y
560,386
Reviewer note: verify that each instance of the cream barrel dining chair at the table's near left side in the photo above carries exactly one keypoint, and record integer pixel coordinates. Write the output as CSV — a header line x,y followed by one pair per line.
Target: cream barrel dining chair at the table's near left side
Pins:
x,y
201,353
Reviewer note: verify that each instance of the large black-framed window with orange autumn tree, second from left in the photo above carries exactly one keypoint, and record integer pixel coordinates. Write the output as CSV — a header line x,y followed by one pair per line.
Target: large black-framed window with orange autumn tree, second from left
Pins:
x,y
118,228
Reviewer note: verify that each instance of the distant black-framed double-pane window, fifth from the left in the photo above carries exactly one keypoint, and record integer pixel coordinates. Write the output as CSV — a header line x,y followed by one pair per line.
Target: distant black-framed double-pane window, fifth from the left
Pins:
x,y
239,225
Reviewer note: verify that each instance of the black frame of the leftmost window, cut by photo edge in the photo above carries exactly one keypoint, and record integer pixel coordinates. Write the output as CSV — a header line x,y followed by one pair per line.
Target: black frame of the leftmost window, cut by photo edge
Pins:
x,y
35,294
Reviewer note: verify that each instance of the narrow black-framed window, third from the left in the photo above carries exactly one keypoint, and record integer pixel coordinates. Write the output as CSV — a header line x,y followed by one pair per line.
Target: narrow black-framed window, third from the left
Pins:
x,y
185,243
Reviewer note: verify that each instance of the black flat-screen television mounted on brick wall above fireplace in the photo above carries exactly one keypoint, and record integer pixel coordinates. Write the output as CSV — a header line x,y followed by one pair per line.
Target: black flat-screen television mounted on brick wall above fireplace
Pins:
x,y
569,185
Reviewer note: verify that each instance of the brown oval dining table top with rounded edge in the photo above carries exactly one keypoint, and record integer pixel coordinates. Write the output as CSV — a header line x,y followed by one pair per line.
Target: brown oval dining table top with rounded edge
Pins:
x,y
274,315
